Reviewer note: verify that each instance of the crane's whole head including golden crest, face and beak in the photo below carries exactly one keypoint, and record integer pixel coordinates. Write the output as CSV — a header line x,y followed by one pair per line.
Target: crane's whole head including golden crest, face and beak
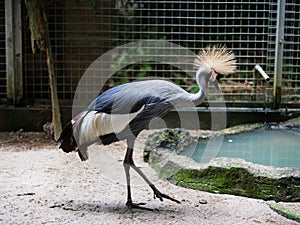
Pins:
x,y
211,63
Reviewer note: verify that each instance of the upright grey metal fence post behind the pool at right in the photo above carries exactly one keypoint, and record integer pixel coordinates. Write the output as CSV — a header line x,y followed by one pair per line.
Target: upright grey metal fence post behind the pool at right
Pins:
x,y
279,54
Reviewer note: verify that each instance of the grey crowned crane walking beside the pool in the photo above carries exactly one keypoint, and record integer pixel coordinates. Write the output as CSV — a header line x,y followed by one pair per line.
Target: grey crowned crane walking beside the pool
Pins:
x,y
122,112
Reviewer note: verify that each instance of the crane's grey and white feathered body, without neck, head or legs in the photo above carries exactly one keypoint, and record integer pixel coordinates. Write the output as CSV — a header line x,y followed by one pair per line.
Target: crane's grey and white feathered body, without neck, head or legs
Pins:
x,y
134,103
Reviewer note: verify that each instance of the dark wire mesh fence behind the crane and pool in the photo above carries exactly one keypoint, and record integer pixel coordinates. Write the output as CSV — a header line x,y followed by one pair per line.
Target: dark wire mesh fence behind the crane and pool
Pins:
x,y
80,33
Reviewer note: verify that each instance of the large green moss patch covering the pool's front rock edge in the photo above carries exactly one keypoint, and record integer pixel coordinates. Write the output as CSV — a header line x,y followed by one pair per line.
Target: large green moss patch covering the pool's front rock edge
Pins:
x,y
238,181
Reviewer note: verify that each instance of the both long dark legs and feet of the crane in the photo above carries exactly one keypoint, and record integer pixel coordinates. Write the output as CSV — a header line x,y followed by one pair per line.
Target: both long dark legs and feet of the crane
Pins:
x,y
128,162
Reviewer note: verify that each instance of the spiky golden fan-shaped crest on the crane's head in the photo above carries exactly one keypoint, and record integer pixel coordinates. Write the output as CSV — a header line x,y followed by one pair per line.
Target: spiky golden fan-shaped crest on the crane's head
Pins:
x,y
216,58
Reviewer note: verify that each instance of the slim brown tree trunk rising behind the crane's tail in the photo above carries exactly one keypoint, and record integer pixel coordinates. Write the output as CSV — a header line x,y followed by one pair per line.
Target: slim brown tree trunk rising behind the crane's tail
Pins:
x,y
40,39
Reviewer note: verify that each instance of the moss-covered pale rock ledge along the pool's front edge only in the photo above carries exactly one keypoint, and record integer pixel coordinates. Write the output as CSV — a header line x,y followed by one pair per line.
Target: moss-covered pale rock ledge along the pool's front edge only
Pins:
x,y
229,176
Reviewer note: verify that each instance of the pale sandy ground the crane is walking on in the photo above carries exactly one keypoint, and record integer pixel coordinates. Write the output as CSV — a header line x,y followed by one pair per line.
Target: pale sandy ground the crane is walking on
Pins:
x,y
46,186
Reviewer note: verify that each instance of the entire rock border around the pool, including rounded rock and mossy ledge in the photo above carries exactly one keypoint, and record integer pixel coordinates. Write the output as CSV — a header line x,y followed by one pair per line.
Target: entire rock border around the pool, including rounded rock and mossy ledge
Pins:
x,y
220,175
